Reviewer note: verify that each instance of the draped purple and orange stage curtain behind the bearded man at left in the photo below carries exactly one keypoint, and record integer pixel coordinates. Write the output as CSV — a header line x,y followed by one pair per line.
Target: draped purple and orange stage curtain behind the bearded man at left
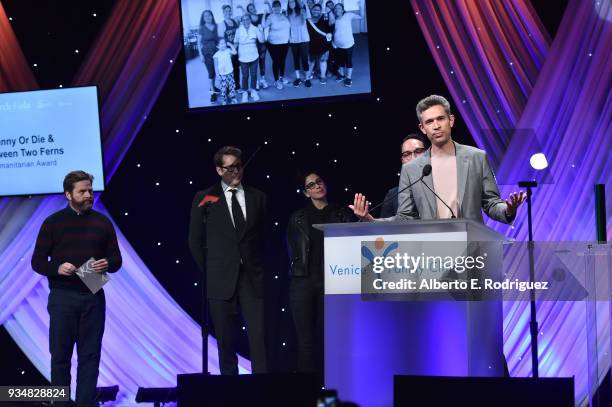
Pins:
x,y
148,338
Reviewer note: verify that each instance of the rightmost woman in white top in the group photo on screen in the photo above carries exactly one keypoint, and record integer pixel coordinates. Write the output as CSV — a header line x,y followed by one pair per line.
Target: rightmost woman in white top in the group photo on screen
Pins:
x,y
343,43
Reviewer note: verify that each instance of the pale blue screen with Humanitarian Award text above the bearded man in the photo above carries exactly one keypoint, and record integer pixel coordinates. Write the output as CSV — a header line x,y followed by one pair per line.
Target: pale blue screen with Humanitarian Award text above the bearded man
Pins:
x,y
44,135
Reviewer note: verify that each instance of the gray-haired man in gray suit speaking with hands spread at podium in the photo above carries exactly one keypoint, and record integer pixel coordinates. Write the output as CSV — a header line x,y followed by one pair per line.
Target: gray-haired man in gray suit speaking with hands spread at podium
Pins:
x,y
450,180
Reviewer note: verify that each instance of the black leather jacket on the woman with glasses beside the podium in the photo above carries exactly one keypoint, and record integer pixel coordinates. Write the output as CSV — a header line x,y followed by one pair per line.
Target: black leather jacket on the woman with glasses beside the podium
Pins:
x,y
298,237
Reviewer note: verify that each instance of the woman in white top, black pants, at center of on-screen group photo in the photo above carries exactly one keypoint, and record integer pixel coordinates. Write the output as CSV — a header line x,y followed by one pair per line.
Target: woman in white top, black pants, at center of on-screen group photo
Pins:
x,y
278,42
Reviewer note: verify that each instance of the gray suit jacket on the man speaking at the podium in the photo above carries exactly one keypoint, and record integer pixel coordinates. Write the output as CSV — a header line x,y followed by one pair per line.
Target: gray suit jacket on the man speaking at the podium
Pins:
x,y
476,186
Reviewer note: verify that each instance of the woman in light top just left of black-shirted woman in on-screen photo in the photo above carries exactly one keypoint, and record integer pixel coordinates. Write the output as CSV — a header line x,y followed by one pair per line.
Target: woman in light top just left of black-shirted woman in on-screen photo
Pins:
x,y
299,39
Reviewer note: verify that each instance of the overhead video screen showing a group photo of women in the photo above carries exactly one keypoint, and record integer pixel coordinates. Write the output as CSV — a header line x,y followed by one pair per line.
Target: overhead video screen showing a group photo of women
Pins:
x,y
257,51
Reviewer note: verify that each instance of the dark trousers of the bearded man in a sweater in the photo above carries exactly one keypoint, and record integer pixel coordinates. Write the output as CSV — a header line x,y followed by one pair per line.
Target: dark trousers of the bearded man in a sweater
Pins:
x,y
76,318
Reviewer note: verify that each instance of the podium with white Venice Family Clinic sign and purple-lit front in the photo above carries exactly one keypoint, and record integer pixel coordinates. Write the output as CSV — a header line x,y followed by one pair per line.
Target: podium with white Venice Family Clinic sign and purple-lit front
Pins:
x,y
368,342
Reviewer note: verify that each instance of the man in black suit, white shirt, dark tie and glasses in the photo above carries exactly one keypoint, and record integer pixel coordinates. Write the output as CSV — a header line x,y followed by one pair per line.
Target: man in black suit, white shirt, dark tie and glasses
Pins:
x,y
226,236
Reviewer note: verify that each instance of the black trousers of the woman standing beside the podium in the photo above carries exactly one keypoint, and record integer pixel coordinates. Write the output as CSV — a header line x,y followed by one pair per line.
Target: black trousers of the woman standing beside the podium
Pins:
x,y
306,299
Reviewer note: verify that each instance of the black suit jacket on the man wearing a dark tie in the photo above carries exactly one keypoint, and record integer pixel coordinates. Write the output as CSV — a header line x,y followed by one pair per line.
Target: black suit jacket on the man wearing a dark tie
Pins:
x,y
218,250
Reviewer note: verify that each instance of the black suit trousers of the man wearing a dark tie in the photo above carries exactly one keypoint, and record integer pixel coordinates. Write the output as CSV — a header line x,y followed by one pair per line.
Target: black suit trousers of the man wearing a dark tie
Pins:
x,y
225,318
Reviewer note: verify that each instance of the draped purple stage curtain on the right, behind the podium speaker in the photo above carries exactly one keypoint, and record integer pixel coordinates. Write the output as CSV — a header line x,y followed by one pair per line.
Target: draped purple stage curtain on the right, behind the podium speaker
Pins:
x,y
504,73
